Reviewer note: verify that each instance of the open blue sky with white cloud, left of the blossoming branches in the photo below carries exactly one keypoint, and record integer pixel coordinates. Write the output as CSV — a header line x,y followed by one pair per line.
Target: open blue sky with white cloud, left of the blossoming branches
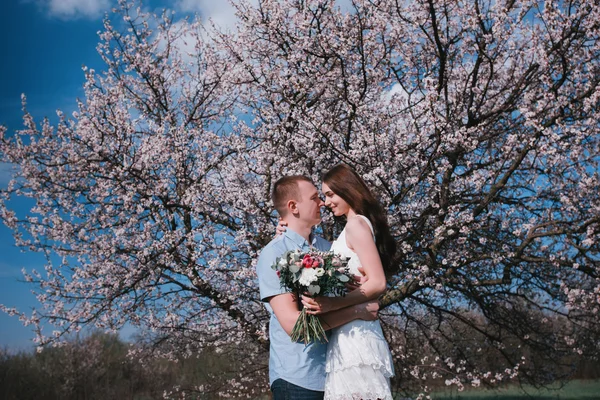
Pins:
x,y
45,44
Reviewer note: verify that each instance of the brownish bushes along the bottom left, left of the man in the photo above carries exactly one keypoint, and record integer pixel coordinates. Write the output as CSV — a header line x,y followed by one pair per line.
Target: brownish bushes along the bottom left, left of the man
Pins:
x,y
99,367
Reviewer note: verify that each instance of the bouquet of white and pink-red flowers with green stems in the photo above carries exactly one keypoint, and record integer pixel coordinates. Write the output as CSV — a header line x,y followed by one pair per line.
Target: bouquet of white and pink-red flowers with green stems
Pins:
x,y
315,272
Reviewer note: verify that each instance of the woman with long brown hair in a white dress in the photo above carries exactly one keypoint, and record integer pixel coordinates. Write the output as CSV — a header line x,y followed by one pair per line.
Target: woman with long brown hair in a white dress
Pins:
x,y
359,364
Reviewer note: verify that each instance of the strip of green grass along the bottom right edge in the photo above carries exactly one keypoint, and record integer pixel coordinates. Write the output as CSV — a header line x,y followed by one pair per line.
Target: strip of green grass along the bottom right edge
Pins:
x,y
574,390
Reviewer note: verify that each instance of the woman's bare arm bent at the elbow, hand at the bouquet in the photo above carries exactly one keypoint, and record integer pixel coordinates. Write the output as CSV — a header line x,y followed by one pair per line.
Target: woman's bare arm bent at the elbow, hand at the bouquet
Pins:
x,y
360,239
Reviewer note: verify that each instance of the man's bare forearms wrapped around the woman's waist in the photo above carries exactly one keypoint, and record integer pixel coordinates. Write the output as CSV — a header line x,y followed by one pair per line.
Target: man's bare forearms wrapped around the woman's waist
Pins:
x,y
286,310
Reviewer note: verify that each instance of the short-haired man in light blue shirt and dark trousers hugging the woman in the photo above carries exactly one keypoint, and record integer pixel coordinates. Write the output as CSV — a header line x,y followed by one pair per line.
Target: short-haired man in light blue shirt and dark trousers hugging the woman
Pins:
x,y
297,370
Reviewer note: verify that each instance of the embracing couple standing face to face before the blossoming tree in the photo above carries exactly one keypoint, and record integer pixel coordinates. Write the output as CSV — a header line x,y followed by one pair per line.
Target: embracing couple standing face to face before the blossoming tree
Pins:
x,y
356,363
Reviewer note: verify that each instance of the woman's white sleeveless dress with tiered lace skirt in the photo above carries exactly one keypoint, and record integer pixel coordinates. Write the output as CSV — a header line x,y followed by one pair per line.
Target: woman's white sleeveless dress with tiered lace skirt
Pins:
x,y
359,364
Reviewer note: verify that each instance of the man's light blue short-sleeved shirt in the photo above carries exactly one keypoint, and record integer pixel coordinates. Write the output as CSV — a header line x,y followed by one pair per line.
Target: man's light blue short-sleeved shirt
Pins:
x,y
297,363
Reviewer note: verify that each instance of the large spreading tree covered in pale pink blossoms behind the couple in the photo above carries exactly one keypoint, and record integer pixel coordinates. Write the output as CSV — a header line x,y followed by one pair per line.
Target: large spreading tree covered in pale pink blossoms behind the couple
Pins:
x,y
475,122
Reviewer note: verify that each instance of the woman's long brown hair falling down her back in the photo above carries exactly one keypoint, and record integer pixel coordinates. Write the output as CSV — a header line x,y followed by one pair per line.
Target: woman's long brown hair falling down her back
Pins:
x,y
347,184
